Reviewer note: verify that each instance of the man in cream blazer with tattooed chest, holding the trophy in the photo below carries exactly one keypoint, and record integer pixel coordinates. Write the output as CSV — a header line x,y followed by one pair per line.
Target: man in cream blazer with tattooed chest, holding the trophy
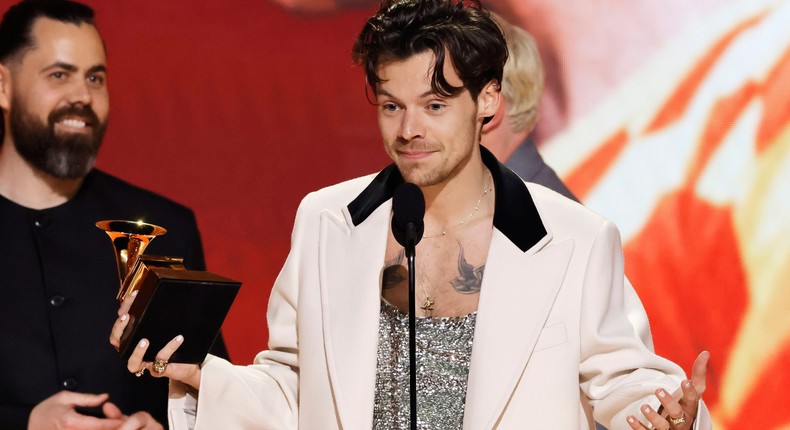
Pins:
x,y
552,344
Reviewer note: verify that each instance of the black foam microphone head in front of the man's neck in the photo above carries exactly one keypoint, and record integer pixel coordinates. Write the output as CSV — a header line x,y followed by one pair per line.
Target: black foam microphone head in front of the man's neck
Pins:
x,y
408,209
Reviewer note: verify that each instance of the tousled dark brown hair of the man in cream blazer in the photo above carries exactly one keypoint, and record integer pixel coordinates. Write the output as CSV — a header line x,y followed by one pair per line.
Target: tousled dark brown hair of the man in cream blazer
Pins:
x,y
403,28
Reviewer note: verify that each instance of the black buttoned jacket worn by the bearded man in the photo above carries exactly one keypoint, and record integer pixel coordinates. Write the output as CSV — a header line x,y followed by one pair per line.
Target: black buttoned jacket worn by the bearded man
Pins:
x,y
58,281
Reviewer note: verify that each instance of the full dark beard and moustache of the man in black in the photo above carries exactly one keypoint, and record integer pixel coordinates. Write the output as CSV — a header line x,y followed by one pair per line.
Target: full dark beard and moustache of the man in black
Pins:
x,y
61,155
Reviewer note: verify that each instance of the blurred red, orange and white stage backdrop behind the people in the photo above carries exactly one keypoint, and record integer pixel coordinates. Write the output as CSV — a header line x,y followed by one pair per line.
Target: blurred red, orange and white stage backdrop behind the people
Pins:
x,y
672,118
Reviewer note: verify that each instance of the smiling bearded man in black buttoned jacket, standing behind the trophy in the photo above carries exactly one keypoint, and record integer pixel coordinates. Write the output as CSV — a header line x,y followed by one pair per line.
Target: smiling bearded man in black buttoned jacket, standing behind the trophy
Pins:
x,y
59,279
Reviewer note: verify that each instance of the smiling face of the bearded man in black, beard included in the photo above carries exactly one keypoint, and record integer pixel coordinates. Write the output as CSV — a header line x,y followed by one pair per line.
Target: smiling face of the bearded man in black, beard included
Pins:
x,y
59,101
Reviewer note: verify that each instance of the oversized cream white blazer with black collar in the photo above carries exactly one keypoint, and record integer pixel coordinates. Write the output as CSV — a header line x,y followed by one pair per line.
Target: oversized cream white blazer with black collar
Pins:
x,y
553,346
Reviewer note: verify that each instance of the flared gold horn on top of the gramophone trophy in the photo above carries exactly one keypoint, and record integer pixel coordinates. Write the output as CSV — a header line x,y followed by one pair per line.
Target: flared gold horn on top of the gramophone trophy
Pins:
x,y
129,240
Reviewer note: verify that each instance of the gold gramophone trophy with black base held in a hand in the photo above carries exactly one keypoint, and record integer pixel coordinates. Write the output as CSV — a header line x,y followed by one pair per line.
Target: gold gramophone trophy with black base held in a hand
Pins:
x,y
171,299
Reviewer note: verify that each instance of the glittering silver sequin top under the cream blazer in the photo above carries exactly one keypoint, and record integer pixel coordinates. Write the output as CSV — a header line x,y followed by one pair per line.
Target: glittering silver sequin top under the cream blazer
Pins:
x,y
444,347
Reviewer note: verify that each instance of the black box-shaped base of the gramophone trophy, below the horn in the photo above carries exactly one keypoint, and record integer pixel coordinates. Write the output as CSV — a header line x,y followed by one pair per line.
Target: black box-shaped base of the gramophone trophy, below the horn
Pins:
x,y
176,301
